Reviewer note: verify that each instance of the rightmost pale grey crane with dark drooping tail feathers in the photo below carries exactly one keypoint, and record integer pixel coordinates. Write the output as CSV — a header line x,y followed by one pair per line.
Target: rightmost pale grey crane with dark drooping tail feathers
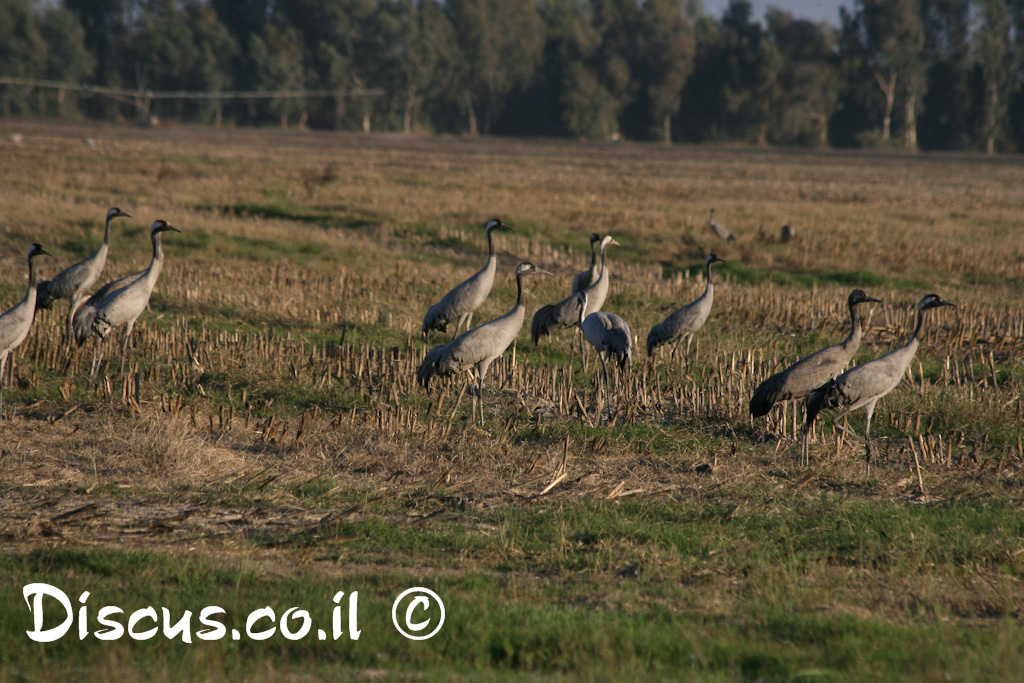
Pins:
x,y
863,386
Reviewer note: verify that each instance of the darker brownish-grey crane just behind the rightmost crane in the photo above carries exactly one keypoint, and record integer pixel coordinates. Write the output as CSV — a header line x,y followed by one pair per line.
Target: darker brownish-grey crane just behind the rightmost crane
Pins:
x,y
809,373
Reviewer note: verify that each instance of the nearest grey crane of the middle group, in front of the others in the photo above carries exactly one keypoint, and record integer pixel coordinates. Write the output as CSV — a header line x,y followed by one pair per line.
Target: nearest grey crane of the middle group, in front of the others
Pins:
x,y
478,349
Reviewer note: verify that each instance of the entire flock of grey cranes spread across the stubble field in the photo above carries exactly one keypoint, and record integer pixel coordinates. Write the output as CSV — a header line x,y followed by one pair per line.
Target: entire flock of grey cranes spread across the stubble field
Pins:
x,y
821,380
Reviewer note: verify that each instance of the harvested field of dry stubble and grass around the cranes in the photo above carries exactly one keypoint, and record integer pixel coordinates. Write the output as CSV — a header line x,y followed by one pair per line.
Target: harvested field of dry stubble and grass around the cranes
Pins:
x,y
270,442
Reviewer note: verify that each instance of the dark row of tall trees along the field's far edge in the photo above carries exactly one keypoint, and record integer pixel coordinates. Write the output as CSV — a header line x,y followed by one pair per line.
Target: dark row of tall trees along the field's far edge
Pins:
x,y
909,74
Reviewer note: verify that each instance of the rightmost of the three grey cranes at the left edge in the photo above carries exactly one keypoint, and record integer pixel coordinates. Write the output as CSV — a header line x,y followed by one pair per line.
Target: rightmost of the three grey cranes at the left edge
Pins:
x,y
123,303
